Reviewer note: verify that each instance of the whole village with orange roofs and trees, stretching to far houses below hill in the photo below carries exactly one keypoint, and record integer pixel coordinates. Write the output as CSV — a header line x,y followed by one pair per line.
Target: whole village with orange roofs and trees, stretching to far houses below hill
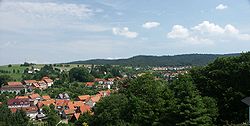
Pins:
x,y
70,99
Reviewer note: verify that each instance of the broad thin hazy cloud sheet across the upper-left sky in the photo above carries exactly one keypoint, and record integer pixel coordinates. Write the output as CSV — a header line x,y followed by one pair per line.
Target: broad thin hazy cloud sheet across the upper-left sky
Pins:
x,y
30,16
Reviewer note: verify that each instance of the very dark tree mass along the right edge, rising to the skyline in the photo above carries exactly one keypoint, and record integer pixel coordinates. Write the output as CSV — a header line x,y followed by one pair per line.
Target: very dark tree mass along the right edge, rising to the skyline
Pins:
x,y
228,81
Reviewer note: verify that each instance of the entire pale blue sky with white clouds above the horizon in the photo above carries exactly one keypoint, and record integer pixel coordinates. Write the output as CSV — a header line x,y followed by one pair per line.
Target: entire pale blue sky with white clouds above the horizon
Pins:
x,y
57,31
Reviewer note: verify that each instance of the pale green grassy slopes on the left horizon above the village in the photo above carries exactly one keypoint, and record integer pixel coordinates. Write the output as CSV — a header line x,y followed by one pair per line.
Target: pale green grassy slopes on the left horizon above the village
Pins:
x,y
16,71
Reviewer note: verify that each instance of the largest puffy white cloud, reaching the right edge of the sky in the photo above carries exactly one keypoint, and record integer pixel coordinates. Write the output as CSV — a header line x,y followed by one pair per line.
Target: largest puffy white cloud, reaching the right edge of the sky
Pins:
x,y
207,32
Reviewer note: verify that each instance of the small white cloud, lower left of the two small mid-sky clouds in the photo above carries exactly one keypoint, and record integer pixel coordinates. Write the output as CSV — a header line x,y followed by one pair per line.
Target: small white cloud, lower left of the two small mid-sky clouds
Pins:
x,y
124,32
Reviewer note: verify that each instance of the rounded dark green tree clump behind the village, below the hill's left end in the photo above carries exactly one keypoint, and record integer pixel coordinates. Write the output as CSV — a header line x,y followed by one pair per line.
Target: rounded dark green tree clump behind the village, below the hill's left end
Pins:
x,y
80,74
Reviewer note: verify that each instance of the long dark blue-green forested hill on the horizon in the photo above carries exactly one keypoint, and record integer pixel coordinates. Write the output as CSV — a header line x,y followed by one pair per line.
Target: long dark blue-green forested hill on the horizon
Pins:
x,y
143,60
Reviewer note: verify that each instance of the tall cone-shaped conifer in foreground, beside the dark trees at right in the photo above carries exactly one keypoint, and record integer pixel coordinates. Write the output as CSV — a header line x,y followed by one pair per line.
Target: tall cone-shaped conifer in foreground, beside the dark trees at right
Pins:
x,y
191,109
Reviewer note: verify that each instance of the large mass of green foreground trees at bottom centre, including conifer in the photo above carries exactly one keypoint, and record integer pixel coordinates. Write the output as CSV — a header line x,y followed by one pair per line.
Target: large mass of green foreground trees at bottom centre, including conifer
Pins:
x,y
146,101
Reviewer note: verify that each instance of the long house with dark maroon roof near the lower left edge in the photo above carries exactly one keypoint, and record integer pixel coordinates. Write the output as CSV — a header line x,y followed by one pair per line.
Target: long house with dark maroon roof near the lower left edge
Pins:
x,y
18,103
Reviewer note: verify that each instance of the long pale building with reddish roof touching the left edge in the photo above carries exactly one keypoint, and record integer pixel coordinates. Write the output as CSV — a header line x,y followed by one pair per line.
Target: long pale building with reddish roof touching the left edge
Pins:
x,y
14,87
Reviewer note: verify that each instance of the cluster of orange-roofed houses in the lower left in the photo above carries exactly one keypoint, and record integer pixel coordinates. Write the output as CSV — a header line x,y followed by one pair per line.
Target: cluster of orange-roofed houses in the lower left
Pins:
x,y
68,108
